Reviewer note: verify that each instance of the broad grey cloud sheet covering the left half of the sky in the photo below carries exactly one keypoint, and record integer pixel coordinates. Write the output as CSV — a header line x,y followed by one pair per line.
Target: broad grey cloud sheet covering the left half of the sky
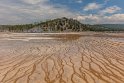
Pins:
x,y
28,11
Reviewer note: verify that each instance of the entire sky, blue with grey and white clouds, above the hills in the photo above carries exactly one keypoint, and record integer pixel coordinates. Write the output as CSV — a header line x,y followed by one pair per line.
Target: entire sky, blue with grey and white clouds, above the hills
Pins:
x,y
86,11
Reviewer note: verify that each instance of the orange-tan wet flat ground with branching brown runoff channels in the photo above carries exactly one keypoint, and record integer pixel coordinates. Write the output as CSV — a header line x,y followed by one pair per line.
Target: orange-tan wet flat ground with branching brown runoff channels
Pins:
x,y
62,58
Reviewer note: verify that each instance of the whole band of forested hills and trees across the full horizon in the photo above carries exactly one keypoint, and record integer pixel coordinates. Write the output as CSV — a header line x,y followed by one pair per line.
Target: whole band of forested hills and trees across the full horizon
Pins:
x,y
60,25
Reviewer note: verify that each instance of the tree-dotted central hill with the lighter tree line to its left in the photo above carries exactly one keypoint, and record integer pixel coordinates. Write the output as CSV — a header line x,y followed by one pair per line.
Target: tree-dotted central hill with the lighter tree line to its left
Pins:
x,y
56,25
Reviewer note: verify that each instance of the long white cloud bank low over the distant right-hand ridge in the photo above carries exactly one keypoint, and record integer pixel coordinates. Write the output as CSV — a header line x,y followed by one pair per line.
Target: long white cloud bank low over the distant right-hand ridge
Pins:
x,y
101,19
